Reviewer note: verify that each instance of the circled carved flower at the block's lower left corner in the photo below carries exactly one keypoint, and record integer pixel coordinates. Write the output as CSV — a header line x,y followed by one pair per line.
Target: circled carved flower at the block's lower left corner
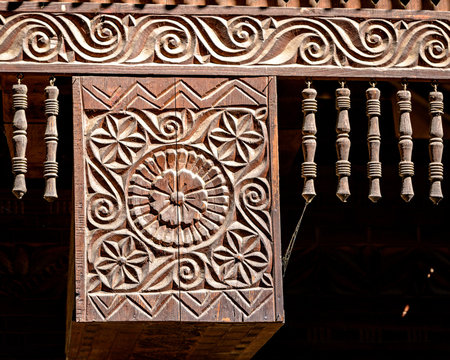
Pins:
x,y
121,261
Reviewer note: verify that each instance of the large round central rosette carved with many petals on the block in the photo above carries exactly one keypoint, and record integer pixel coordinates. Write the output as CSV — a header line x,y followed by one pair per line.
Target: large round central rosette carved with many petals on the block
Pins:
x,y
178,197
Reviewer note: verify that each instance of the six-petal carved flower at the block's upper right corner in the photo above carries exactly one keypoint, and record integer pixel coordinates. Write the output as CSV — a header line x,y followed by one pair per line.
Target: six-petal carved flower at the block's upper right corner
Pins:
x,y
236,139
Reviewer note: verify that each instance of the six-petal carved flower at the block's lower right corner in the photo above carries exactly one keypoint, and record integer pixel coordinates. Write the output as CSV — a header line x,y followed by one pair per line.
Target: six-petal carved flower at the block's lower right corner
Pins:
x,y
241,259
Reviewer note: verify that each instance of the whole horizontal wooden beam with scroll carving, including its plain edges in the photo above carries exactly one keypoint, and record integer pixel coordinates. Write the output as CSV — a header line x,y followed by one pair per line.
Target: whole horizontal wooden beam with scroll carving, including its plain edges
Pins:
x,y
189,40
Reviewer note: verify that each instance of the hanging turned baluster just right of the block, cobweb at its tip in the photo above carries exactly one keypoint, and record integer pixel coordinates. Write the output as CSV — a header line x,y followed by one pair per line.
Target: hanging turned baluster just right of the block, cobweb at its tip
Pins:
x,y
309,167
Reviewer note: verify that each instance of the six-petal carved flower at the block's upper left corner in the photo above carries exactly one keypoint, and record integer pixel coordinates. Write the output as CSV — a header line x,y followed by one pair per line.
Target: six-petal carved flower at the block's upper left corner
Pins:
x,y
117,141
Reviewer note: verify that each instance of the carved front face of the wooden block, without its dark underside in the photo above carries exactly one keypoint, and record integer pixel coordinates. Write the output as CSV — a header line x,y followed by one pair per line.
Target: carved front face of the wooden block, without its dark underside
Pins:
x,y
179,196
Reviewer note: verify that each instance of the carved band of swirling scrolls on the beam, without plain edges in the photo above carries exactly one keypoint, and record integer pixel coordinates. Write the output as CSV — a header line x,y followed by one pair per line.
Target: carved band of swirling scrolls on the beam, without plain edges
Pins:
x,y
224,40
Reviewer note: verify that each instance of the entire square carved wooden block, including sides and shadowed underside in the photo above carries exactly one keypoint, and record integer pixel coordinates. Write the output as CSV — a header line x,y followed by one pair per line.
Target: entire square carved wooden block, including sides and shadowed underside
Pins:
x,y
177,241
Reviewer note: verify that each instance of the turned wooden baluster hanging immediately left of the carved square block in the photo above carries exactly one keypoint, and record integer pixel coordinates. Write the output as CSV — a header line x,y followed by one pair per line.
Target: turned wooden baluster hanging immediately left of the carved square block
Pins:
x,y
51,140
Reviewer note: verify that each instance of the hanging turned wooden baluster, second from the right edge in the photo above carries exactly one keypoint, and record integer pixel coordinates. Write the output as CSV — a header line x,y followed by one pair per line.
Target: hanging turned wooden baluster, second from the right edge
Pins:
x,y
405,144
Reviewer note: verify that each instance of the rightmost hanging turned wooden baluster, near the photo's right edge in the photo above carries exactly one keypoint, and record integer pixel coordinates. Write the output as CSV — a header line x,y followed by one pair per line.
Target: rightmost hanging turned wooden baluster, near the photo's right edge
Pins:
x,y
436,145
